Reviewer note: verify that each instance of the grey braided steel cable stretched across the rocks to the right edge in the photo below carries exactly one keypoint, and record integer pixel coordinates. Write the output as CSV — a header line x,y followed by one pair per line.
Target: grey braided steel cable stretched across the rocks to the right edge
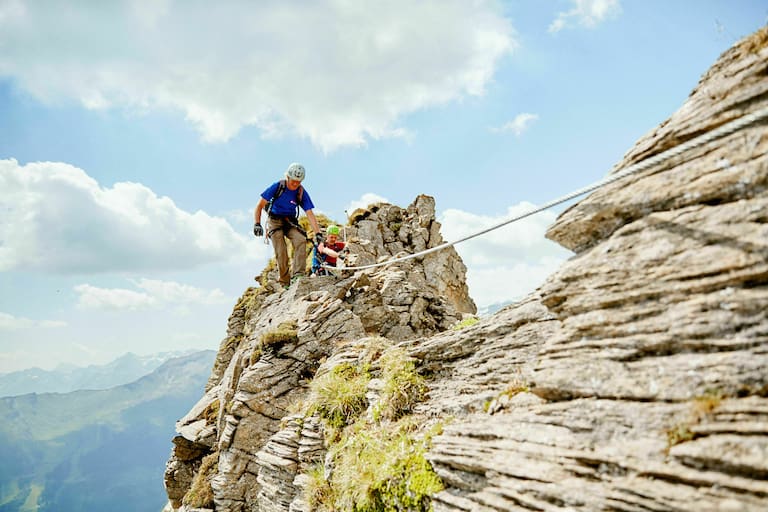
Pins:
x,y
721,131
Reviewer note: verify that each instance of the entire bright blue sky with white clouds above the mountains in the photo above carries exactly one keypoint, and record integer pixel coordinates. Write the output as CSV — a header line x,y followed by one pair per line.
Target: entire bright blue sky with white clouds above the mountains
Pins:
x,y
136,137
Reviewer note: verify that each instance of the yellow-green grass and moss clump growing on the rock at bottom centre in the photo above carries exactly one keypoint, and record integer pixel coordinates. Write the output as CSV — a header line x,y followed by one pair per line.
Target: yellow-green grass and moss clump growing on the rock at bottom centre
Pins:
x,y
379,463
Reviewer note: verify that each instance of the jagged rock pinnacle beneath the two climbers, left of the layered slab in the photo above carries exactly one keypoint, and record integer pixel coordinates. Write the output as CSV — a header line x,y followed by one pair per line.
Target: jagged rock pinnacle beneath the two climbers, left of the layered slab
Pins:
x,y
253,385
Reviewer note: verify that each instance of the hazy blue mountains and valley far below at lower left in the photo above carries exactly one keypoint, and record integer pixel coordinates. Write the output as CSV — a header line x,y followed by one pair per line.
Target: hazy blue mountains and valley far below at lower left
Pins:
x,y
92,450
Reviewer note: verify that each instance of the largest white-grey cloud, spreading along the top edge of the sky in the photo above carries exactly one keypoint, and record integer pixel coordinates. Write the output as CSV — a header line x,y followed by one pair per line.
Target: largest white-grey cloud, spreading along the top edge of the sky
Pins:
x,y
336,72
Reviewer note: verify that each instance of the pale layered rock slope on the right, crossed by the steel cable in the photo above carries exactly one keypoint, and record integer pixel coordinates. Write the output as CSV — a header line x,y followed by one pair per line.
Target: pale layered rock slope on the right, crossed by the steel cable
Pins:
x,y
636,377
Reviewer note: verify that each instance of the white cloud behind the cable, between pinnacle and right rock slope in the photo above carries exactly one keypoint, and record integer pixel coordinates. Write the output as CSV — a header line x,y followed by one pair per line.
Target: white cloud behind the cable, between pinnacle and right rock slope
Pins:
x,y
508,263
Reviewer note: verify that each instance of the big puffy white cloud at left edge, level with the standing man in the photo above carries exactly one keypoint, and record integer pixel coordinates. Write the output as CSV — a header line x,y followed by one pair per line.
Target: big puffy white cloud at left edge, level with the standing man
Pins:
x,y
56,218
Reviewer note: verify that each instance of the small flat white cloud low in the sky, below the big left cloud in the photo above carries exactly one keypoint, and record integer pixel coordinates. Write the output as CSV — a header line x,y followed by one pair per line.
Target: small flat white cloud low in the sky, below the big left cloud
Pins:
x,y
154,294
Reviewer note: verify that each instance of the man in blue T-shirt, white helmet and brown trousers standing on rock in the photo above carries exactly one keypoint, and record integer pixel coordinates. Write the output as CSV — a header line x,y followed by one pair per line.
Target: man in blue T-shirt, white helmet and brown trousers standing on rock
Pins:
x,y
283,199
